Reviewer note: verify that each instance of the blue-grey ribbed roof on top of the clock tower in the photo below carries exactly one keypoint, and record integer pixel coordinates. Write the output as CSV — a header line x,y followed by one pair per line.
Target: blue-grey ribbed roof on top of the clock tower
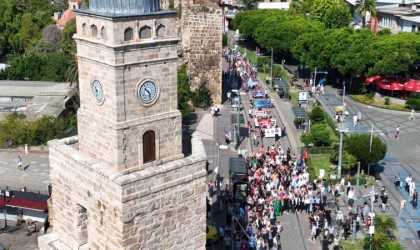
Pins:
x,y
123,7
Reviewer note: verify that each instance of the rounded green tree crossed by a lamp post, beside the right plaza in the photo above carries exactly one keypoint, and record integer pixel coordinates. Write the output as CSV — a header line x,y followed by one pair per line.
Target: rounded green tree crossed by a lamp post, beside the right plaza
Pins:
x,y
359,145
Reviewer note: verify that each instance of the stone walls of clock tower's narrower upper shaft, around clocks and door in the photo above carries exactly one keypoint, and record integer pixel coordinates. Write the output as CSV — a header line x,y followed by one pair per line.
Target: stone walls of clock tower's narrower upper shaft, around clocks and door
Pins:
x,y
111,131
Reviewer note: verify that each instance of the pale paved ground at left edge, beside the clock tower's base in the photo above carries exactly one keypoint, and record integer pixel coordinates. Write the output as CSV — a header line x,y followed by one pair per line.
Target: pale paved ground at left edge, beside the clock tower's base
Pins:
x,y
36,176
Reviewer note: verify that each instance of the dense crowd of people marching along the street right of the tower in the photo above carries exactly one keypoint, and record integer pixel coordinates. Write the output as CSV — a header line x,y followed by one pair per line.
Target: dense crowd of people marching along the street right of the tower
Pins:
x,y
279,183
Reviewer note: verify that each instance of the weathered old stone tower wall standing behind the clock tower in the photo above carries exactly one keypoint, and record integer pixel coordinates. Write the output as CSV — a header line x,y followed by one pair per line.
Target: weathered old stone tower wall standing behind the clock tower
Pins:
x,y
201,32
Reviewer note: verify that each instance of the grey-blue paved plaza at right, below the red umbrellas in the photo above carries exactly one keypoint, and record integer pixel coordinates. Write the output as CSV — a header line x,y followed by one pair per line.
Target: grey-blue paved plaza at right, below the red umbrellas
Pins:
x,y
402,156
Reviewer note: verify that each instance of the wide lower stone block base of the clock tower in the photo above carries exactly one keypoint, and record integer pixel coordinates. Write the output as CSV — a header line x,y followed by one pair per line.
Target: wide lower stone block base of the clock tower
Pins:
x,y
161,207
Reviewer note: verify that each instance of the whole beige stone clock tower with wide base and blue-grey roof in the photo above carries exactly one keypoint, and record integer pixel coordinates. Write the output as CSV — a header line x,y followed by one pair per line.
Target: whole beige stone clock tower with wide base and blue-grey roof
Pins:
x,y
124,183
